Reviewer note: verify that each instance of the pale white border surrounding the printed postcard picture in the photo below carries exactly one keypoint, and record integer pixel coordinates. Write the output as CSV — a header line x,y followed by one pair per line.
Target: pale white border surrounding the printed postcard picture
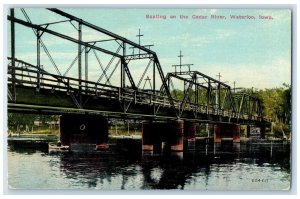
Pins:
x,y
149,4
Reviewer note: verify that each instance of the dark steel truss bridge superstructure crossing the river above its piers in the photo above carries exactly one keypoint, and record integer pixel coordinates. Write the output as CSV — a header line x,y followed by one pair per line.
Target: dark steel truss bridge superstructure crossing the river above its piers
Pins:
x,y
183,94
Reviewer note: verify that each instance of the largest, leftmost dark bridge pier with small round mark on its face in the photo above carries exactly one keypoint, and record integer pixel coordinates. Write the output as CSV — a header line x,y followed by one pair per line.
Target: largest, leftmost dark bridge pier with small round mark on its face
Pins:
x,y
84,132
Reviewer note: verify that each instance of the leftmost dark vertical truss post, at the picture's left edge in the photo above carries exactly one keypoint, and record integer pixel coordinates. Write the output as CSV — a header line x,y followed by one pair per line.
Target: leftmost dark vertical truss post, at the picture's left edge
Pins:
x,y
12,29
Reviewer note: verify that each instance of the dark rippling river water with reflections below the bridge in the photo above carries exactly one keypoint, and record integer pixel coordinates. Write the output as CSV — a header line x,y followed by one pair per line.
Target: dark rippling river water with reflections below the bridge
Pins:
x,y
250,165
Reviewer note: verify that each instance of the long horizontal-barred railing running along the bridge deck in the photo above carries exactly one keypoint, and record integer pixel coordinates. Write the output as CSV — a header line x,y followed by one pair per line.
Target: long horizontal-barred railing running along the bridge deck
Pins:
x,y
30,76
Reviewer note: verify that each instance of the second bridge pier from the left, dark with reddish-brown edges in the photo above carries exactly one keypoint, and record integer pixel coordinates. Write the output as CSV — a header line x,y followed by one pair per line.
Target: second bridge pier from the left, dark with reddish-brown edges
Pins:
x,y
167,135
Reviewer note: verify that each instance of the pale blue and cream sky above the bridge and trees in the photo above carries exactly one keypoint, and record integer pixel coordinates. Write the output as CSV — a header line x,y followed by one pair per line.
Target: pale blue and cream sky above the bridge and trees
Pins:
x,y
250,52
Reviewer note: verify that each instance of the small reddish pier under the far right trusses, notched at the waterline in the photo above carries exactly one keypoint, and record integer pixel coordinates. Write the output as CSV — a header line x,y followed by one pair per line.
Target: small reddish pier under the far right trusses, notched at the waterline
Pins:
x,y
227,131
